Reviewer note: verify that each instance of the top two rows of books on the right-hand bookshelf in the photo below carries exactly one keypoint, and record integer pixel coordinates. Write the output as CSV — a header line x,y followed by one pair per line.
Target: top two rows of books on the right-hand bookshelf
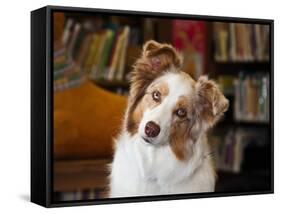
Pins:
x,y
241,52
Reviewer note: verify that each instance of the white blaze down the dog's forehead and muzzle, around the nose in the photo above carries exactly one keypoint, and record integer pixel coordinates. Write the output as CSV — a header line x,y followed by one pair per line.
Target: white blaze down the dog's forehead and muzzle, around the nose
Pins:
x,y
178,85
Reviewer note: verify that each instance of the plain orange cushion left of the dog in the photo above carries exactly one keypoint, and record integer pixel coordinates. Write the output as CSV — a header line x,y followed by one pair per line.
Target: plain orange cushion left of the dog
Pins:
x,y
86,119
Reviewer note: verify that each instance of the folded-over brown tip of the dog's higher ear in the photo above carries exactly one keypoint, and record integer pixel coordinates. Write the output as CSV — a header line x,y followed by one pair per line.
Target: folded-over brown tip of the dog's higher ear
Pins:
x,y
161,56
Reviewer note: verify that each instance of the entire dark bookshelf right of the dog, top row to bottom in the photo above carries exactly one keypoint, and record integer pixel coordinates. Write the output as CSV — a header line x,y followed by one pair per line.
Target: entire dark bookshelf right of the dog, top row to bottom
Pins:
x,y
242,143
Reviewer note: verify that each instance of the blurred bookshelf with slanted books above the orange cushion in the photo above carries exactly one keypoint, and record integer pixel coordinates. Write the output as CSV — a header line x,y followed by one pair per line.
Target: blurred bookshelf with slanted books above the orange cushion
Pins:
x,y
104,49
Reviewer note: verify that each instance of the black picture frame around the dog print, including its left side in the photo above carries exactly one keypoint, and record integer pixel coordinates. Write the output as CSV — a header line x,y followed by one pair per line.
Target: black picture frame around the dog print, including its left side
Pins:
x,y
42,104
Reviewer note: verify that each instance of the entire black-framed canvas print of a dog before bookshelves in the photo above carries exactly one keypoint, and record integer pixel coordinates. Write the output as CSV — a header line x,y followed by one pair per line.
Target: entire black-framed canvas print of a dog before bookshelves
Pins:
x,y
131,106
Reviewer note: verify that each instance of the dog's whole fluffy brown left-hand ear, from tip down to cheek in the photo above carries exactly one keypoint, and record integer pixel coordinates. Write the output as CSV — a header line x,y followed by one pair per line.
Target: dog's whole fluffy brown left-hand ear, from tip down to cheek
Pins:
x,y
154,60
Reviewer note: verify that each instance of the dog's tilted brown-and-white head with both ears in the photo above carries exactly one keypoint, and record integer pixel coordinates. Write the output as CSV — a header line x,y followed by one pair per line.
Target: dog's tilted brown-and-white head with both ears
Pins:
x,y
166,106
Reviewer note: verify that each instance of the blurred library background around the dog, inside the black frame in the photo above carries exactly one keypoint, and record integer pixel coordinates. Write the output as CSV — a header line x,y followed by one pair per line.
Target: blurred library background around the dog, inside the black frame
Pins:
x,y
93,55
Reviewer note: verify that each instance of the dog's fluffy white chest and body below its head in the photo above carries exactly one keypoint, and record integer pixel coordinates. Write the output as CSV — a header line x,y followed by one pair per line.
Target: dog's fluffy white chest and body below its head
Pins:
x,y
139,169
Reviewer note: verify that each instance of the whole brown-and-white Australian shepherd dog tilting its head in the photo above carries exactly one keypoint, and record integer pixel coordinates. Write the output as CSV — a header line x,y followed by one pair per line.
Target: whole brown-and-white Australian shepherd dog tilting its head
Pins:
x,y
162,148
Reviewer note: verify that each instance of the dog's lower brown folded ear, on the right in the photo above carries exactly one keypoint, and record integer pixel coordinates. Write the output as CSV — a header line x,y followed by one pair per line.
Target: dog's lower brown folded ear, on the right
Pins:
x,y
210,102
